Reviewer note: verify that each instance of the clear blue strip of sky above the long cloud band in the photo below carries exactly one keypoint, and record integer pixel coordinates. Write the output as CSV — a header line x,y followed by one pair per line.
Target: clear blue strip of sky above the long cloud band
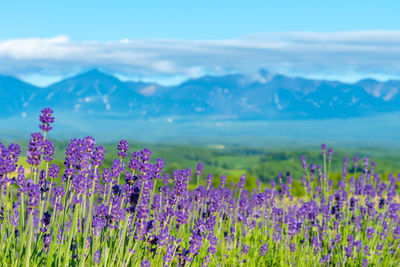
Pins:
x,y
115,20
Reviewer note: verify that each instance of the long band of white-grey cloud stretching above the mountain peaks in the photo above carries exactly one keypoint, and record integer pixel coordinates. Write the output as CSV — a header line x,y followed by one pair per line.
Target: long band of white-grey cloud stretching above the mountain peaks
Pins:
x,y
337,55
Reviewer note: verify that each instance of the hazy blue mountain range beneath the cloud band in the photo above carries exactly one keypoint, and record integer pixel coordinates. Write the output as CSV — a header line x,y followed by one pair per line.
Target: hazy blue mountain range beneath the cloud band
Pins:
x,y
234,96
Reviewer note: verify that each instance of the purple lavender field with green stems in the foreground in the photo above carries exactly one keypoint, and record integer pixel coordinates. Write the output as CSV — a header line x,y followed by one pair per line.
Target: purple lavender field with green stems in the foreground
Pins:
x,y
137,214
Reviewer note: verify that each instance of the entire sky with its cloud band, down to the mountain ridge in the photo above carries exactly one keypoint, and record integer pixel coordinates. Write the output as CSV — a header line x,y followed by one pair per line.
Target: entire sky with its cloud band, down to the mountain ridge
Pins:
x,y
169,41
